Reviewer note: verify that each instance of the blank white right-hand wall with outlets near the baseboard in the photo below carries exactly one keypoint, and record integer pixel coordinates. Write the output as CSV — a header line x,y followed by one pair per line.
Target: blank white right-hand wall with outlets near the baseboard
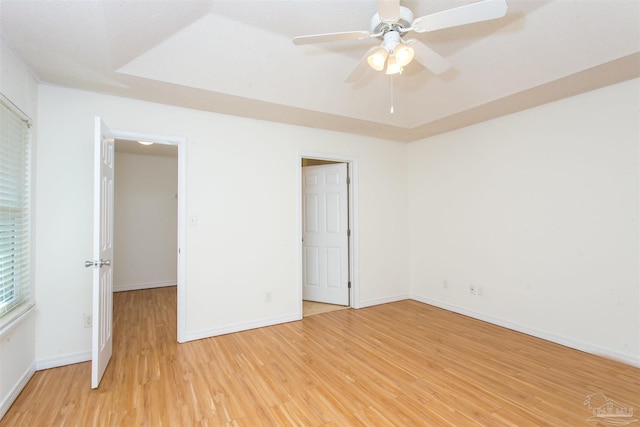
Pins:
x,y
540,209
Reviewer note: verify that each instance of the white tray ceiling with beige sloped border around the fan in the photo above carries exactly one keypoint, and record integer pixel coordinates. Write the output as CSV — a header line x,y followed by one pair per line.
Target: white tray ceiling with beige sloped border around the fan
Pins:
x,y
236,57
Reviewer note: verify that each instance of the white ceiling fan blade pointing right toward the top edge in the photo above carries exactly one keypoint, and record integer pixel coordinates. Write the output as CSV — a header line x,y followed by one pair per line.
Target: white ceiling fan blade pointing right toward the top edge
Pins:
x,y
475,12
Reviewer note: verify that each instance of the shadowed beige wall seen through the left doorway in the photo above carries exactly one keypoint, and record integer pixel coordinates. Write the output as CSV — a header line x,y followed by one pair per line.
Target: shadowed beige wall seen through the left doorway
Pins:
x,y
146,221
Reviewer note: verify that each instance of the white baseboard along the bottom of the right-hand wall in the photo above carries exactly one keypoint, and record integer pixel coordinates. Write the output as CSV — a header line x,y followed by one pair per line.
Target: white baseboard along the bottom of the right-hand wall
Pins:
x,y
567,342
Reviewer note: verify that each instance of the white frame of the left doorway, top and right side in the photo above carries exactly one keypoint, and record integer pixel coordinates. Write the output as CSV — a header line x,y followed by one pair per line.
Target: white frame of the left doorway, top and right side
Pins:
x,y
181,143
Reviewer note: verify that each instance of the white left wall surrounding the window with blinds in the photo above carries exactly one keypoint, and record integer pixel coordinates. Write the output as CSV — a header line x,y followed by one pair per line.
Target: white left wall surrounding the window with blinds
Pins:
x,y
17,340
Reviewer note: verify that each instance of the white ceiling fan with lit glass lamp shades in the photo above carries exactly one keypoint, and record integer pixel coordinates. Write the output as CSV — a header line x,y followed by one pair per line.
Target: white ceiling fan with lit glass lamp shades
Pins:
x,y
393,21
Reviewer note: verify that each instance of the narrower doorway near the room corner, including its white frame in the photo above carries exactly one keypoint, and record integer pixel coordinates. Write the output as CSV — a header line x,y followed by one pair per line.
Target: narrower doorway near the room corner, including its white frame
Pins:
x,y
328,233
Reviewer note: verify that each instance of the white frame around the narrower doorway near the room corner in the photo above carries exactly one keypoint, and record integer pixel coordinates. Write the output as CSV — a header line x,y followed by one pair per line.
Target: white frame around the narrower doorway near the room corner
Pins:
x,y
354,244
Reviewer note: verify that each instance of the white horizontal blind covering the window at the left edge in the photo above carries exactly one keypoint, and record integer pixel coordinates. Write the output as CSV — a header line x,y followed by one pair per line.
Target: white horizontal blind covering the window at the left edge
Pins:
x,y
14,208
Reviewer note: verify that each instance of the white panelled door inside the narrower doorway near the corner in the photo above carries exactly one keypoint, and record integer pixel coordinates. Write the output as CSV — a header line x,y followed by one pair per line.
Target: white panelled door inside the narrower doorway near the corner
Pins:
x,y
325,242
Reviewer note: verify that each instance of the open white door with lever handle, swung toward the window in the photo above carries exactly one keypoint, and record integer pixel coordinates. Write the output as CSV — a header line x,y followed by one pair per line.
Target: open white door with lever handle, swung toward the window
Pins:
x,y
102,251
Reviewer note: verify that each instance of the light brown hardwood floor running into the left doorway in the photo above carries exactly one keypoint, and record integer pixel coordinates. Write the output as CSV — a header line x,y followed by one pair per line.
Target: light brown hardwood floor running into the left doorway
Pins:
x,y
403,363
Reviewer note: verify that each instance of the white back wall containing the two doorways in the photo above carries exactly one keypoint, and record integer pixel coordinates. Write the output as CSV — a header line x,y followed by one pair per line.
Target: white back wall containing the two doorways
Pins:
x,y
242,184
